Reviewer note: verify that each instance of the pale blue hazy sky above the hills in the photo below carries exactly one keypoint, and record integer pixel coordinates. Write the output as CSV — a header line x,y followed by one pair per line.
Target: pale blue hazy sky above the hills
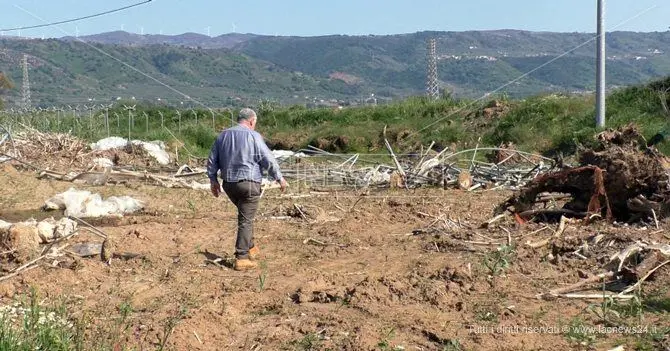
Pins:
x,y
310,18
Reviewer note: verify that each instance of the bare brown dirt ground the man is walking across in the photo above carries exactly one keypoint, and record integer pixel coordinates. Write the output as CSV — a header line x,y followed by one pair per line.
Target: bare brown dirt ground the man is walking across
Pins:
x,y
368,280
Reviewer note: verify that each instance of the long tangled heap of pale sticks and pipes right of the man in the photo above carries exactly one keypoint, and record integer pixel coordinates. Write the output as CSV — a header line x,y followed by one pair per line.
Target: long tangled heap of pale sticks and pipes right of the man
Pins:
x,y
427,168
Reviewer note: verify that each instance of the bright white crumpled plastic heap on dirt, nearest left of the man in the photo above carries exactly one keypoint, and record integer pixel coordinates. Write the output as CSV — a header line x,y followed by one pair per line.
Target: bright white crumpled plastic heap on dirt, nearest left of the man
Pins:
x,y
82,203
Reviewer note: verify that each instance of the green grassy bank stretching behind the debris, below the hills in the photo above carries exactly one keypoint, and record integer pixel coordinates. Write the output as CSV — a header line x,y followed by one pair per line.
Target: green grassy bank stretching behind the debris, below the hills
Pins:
x,y
547,124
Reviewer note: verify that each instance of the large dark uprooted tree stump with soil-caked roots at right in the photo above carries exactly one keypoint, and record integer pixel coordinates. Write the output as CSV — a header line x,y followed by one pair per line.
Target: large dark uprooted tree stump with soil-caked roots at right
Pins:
x,y
620,179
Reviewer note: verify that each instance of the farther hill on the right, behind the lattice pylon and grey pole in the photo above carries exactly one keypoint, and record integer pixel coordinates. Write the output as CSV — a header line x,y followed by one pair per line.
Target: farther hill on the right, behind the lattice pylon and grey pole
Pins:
x,y
472,63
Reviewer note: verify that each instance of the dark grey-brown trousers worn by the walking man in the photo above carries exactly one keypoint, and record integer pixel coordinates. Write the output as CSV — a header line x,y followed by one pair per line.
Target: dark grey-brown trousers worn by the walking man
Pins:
x,y
245,196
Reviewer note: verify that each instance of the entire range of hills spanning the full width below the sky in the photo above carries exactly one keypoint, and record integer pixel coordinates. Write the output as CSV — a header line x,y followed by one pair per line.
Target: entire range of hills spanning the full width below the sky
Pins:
x,y
246,67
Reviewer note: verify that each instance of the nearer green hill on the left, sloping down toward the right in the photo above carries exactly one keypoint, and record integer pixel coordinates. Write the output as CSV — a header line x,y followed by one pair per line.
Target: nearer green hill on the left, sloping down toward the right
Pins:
x,y
63,72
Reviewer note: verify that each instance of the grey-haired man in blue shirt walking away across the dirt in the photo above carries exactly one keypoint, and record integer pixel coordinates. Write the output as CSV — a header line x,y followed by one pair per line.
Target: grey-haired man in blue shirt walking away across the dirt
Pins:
x,y
241,155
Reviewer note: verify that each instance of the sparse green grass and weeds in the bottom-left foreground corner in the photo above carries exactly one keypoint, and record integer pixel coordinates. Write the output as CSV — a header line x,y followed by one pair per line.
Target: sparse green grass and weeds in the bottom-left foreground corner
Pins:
x,y
31,323
